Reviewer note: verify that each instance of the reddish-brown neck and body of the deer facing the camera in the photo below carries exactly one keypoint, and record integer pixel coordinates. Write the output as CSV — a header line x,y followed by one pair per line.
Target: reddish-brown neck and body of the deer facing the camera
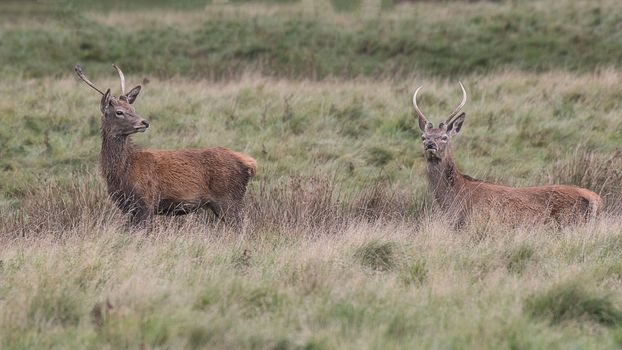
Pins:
x,y
463,197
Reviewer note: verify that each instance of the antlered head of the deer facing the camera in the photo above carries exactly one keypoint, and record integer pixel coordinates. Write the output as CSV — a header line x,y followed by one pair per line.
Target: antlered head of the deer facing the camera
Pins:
x,y
436,140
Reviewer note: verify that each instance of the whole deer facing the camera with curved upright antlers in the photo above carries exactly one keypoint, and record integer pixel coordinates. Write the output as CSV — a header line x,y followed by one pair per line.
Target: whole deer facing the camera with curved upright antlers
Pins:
x,y
463,197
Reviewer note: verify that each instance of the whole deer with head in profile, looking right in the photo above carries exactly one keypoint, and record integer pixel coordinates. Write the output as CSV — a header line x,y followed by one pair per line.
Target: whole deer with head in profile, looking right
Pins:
x,y
147,182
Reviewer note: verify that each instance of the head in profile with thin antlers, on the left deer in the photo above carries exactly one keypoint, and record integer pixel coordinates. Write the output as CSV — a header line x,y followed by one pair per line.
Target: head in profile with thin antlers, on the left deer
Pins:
x,y
118,115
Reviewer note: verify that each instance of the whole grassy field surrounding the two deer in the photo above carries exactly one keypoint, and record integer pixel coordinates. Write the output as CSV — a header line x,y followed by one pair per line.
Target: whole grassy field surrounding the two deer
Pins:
x,y
341,246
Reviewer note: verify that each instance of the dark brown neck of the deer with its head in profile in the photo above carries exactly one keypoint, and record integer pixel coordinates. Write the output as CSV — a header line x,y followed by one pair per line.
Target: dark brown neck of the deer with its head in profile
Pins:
x,y
115,159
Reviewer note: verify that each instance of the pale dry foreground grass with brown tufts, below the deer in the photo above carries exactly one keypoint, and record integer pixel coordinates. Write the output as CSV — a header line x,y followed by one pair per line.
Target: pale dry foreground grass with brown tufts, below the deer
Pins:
x,y
322,273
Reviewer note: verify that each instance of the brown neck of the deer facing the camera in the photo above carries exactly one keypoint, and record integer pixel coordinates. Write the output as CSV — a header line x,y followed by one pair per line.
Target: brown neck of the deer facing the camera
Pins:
x,y
444,179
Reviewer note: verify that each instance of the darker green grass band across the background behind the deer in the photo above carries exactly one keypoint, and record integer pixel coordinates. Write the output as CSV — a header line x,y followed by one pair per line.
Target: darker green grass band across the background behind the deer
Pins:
x,y
428,38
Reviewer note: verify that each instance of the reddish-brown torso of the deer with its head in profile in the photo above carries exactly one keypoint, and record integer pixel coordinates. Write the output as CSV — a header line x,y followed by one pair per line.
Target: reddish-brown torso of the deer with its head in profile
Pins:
x,y
184,181
